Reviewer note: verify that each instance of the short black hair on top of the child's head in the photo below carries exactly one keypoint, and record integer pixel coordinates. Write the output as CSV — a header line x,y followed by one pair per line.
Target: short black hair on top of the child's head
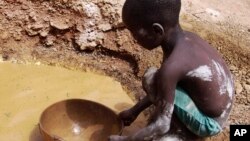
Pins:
x,y
165,12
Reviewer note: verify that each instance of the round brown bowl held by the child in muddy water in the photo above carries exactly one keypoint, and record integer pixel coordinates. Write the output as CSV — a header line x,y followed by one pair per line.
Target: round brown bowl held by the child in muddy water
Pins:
x,y
78,120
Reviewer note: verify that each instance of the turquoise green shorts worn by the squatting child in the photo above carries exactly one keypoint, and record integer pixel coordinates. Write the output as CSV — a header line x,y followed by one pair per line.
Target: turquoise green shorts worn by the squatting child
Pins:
x,y
189,114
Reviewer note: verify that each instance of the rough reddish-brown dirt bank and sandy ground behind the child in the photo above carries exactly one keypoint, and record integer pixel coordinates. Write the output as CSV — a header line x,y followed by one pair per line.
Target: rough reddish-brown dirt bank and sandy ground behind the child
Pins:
x,y
89,35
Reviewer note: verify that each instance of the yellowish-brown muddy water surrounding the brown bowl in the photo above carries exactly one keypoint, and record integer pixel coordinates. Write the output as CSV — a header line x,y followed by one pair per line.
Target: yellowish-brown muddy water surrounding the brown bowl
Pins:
x,y
26,90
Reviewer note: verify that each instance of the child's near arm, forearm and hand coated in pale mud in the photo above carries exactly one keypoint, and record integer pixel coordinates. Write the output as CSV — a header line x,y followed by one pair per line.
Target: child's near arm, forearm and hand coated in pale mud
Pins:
x,y
166,83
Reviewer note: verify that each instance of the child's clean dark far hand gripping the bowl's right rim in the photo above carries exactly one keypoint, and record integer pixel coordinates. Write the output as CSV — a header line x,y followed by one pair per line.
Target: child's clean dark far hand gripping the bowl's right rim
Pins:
x,y
127,117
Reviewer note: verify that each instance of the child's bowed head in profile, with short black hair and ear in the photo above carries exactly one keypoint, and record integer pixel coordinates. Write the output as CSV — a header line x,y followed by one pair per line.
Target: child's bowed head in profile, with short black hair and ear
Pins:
x,y
150,20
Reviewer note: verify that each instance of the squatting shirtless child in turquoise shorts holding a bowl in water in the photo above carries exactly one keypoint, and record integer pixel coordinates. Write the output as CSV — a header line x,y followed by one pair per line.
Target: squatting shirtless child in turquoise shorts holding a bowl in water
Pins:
x,y
193,81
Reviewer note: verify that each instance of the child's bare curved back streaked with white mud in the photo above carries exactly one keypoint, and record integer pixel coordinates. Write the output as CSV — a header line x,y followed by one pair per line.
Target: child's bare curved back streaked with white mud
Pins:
x,y
203,74
